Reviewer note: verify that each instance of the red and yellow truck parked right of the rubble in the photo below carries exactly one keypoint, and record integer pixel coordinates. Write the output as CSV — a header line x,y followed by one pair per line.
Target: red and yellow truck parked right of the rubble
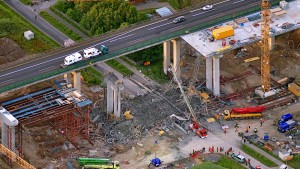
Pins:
x,y
243,113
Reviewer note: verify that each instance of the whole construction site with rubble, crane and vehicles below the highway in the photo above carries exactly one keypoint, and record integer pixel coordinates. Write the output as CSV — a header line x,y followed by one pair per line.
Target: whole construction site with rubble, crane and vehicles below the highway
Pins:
x,y
233,92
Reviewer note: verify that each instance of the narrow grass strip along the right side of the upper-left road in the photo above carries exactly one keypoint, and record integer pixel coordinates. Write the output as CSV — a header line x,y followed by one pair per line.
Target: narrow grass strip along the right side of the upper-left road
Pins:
x,y
60,26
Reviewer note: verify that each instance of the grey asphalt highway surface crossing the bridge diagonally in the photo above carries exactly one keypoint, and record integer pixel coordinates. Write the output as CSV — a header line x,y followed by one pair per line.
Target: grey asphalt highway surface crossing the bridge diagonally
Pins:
x,y
125,39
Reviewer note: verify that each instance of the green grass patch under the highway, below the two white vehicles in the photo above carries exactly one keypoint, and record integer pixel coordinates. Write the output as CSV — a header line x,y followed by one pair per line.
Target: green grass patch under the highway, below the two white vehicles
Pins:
x,y
91,76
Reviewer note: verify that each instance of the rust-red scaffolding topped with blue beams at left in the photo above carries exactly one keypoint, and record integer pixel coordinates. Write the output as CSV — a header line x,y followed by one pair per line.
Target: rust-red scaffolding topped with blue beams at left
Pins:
x,y
65,109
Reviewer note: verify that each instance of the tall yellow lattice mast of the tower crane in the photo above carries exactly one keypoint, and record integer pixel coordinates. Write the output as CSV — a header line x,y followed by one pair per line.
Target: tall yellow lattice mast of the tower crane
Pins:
x,y
265,48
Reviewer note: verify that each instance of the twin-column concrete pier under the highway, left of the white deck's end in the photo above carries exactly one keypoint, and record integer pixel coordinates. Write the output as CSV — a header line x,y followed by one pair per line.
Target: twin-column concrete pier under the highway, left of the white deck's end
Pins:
x,y
176,57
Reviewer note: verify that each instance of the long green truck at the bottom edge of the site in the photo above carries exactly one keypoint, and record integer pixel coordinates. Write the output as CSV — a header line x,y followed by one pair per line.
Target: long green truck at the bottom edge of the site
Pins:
x,y
98,163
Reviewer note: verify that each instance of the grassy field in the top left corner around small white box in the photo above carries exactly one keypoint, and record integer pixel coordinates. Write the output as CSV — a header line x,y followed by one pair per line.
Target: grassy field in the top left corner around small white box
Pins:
x,y
13,25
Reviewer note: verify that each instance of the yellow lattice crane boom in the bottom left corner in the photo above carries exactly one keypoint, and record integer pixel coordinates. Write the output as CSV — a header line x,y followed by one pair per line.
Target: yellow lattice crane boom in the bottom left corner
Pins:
x,y
24,164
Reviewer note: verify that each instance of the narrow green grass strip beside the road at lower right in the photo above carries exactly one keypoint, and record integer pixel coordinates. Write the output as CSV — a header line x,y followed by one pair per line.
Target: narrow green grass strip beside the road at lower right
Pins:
x,y
258,156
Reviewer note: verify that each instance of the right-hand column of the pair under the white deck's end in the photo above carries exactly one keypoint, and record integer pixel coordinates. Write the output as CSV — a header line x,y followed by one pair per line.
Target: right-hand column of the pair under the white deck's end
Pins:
x,y
216,75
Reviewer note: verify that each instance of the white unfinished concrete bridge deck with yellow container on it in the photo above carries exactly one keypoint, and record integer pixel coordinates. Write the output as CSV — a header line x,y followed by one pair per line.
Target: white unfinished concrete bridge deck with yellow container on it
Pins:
x,y
244,34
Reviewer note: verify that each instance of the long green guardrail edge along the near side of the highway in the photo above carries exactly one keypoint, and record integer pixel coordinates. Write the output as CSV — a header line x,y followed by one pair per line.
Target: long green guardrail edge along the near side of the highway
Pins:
x,y
130,49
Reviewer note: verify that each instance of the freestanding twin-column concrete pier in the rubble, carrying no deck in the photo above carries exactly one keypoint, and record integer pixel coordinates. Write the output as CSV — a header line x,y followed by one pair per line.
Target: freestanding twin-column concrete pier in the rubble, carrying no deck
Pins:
x,y
114,89
